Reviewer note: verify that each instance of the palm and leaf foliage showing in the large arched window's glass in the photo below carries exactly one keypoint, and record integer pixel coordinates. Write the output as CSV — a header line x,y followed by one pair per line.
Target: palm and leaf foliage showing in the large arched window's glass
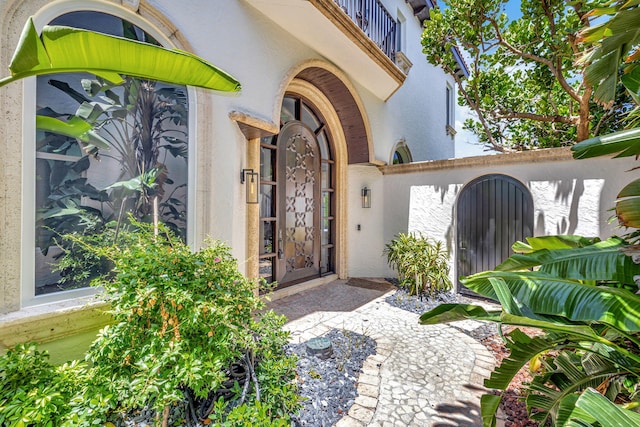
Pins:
x,y
140,124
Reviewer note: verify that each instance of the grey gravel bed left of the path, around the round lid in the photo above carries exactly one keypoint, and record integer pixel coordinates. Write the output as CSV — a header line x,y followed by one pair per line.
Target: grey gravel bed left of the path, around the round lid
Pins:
x,y
328,386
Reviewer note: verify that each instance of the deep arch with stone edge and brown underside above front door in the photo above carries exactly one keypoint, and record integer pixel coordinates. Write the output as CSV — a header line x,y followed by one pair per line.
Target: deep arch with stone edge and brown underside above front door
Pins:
x,y
337,88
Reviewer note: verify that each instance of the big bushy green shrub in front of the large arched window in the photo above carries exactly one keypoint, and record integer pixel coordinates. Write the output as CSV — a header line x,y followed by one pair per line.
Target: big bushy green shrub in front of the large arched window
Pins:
x,y
181,319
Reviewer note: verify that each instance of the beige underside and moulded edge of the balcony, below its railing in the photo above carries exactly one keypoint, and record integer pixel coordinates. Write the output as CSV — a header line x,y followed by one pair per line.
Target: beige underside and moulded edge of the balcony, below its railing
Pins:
x,y
323,26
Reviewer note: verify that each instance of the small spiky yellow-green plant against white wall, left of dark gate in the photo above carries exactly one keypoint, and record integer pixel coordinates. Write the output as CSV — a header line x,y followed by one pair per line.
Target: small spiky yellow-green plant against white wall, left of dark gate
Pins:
x,y
422,263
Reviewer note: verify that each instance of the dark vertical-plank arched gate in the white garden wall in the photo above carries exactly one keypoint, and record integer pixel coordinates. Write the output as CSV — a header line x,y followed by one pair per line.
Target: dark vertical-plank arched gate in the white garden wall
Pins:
x,y
493,212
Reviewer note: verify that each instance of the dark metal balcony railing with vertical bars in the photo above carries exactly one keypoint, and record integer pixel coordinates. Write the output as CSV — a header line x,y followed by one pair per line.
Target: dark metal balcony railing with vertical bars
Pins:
x,y
375,21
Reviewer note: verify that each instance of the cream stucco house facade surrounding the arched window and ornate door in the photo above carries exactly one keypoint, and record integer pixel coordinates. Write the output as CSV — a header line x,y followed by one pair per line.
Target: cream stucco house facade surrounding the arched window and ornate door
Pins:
x,y
264,57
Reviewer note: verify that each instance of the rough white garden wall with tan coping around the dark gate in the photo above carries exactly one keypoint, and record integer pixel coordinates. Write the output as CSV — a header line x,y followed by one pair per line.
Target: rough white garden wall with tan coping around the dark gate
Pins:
x,y
569,196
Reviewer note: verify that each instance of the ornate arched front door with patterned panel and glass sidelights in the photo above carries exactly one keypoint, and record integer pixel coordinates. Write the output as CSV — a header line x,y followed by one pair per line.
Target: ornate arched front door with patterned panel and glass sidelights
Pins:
x,y
298,196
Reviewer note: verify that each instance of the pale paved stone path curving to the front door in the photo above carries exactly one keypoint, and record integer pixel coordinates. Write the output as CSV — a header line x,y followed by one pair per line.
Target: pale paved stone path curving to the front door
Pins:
x,y
419,376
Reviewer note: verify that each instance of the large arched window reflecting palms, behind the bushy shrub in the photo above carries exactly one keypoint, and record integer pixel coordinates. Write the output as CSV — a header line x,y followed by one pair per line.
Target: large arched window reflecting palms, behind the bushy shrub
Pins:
x,y
131,162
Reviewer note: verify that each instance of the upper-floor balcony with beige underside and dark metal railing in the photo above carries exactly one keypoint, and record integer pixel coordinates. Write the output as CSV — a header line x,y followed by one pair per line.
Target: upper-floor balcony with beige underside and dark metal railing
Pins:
x,y
356,35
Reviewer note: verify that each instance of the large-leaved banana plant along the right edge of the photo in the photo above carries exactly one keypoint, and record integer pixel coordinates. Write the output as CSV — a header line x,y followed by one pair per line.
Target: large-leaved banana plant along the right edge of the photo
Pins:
x,y
580,293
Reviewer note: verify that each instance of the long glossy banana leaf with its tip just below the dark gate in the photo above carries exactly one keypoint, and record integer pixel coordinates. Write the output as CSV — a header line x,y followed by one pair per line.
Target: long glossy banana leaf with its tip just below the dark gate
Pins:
x,y
549,295
